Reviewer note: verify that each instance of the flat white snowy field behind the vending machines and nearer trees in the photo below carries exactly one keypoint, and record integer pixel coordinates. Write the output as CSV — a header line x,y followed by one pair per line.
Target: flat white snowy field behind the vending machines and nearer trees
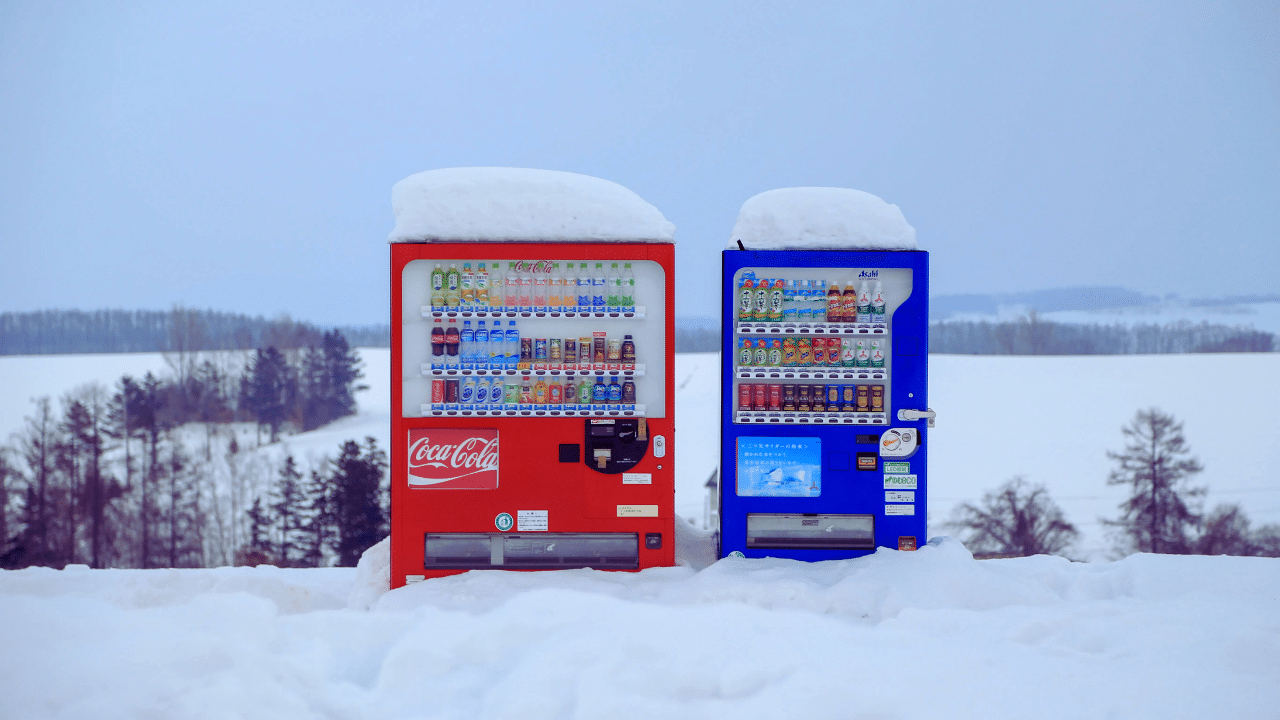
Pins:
x,y
1050,420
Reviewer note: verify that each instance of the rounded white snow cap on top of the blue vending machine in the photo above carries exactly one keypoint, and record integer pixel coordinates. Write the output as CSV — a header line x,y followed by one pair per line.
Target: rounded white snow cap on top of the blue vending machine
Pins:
x,y
821,218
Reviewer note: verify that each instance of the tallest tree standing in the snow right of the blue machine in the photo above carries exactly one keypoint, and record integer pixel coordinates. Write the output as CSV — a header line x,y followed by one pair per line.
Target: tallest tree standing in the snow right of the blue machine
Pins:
x,y
1156,464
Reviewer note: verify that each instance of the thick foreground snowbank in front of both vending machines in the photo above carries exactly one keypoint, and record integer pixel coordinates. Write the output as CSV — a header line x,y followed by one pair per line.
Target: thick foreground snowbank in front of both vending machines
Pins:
x,y
893,636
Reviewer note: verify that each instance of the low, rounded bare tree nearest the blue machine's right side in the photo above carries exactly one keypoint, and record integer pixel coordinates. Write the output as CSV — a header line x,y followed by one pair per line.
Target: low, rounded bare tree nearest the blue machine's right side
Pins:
x,y
1017,520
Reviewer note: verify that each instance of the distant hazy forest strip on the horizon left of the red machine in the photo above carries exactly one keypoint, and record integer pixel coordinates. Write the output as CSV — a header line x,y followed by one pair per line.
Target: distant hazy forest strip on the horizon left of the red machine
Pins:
x,y
53,332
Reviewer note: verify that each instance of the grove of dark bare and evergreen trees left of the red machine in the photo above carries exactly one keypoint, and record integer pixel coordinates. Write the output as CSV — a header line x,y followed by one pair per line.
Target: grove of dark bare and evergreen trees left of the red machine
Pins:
x,y
153,473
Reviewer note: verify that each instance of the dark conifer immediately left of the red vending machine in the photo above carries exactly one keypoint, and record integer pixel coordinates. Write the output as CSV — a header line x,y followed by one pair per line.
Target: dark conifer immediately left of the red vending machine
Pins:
x,y
358,486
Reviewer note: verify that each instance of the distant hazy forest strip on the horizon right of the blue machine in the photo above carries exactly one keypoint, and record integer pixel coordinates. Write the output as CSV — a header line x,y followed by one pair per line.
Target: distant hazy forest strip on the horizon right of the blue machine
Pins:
x,y
1034,335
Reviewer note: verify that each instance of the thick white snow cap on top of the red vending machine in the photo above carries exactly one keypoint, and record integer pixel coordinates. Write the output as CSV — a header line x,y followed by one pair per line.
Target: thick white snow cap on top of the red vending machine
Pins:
x,y
519,204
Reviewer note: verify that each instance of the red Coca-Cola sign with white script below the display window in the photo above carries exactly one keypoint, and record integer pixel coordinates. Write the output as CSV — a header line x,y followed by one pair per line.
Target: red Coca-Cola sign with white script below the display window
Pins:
x,y
454,458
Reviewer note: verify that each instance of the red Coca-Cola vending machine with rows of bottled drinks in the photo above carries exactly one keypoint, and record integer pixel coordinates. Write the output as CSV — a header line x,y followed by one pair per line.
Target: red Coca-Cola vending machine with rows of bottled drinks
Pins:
x,y
533,405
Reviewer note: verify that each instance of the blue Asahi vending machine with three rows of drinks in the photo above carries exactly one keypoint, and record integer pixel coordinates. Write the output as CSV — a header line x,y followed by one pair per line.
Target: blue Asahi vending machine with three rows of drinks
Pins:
x,y
825,403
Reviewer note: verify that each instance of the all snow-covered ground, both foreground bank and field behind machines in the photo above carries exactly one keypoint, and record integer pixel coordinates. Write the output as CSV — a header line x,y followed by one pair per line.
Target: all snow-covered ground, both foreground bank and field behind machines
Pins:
x,y
926,635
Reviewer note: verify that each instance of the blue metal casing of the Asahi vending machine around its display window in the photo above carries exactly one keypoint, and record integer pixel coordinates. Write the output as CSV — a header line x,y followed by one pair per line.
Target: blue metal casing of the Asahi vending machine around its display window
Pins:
x,y
845,489
